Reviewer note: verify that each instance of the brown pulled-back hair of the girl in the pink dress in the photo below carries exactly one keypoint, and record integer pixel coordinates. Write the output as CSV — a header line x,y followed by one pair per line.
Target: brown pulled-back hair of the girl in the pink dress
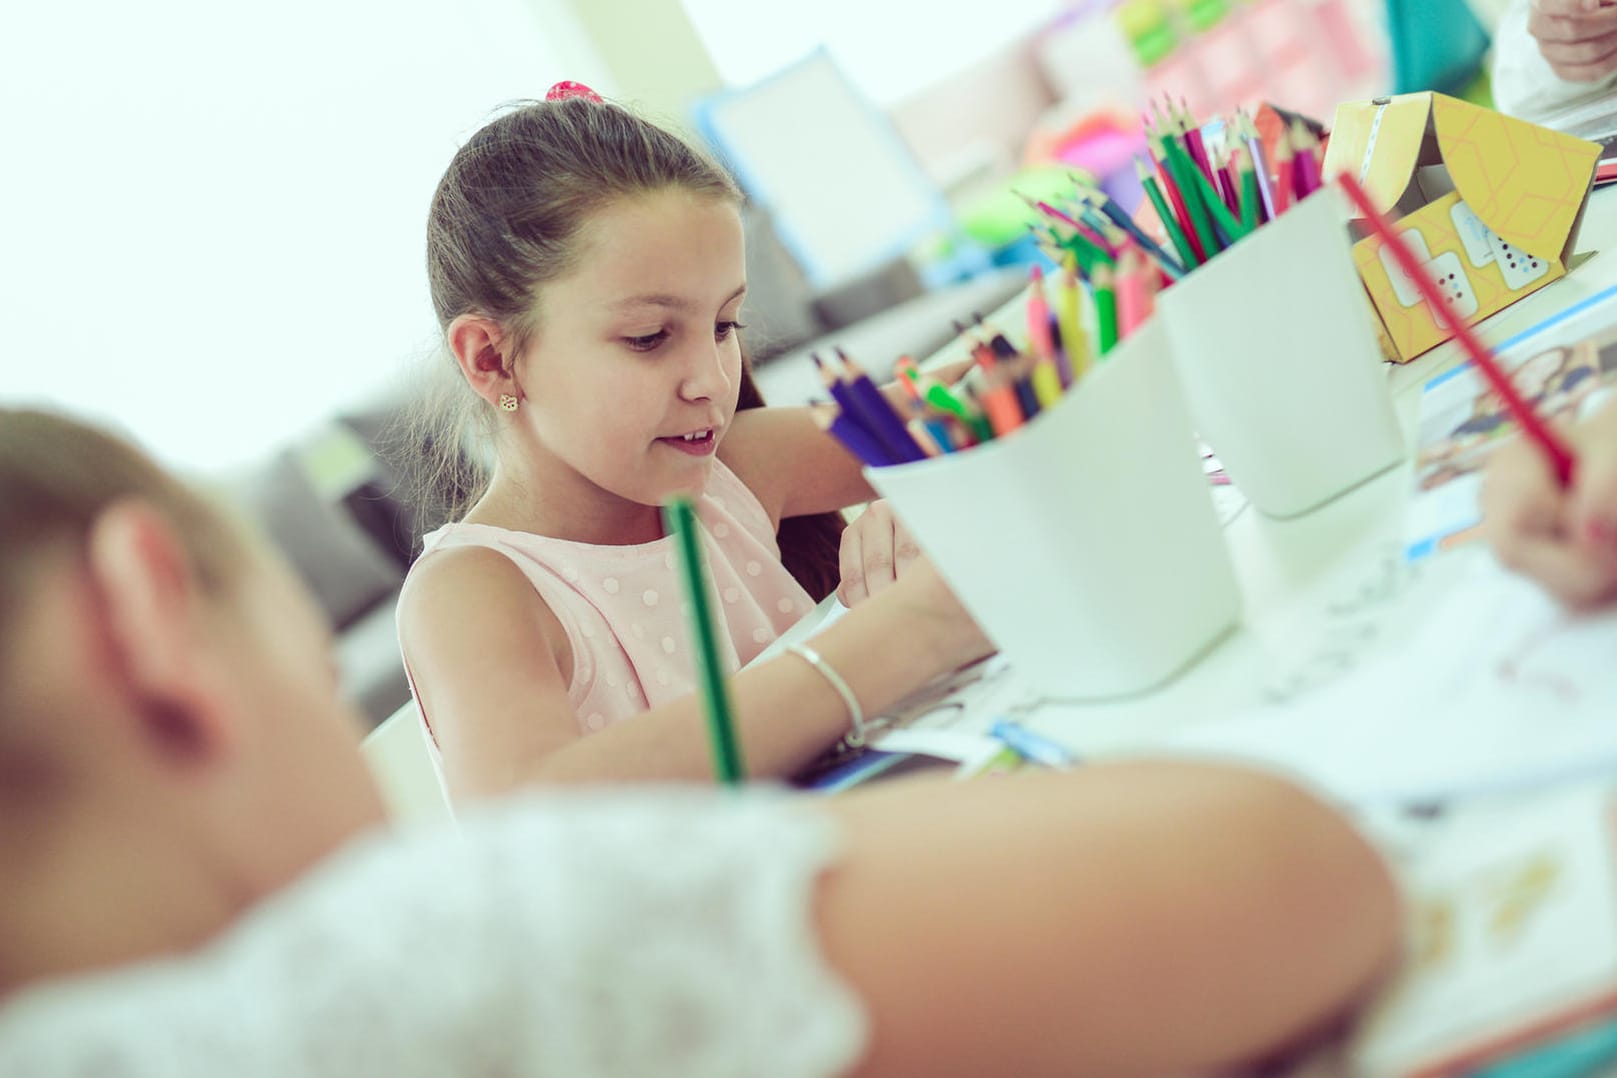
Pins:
x,y
505,221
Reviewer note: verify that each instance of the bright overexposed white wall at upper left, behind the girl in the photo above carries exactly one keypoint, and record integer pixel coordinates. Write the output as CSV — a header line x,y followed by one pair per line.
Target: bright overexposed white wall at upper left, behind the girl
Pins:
x,y
216,214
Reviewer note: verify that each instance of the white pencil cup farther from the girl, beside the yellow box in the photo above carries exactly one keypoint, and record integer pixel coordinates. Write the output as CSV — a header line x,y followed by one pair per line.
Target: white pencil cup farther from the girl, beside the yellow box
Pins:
x,y
1277,350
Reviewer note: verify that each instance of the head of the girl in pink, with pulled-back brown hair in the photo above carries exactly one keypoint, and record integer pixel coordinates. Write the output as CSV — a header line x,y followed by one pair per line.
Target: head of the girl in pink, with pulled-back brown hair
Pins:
x,y
588,269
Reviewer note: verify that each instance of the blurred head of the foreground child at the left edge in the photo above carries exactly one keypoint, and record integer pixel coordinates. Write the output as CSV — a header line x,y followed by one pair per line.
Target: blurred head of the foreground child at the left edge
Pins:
x,y
166,693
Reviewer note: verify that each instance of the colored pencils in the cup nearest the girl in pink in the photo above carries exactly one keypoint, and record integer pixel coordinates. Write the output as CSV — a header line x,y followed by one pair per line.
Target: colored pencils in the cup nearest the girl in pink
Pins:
x,y
1007,387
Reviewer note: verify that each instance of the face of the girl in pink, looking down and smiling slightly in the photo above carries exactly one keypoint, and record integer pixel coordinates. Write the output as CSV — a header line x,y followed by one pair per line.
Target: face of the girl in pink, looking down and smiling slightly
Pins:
x,y
631,381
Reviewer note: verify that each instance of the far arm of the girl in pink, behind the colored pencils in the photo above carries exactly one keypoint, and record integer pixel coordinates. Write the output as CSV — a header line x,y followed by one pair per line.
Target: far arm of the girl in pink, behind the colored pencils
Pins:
x,y
796,470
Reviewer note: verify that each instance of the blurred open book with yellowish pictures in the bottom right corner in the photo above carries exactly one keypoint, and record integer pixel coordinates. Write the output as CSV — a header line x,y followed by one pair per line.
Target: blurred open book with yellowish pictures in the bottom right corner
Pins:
x,y
1513,914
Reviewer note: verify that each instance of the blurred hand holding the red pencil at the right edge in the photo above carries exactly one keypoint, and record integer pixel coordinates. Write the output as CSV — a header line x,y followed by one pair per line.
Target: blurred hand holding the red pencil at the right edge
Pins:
x,y
1566,539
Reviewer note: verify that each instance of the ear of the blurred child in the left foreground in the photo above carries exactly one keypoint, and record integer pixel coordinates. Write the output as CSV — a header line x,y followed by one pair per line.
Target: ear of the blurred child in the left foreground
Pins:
x,y
153,604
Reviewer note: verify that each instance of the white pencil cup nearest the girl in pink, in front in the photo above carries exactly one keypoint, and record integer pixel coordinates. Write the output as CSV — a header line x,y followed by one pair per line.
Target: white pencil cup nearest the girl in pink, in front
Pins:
x,y
1086,544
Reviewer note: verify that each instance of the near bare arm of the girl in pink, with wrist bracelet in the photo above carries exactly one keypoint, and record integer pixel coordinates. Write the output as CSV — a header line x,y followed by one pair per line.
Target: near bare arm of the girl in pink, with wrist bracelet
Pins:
x,y
491,668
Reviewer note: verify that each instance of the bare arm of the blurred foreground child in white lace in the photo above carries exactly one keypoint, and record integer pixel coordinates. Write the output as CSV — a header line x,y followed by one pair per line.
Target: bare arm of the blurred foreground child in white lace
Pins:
x,y
1141,919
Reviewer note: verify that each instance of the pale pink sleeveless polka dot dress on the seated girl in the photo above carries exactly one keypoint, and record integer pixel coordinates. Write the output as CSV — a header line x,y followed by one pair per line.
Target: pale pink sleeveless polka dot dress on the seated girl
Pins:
x,y
623,607
